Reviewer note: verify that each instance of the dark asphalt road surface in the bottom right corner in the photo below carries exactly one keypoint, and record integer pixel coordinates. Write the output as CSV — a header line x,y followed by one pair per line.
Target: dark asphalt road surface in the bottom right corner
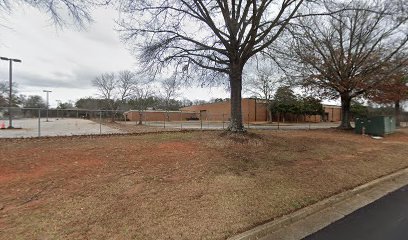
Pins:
x,y
384,219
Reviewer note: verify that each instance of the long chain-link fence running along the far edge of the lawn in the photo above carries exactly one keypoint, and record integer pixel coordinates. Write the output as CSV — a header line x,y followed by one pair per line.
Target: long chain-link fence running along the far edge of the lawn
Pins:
x,y
36,122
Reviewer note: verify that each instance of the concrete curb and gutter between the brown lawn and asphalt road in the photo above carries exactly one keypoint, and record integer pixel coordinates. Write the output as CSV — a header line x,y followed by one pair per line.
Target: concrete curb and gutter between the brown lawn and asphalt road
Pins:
x,y
380,186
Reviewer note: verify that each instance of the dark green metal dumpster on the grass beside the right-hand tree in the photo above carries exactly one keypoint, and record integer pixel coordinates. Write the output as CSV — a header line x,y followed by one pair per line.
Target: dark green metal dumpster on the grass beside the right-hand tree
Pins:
x,y
376,126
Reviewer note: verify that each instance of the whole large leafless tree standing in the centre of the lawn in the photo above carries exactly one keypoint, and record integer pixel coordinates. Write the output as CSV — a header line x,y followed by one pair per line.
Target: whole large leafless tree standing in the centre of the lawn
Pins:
x,y
208,40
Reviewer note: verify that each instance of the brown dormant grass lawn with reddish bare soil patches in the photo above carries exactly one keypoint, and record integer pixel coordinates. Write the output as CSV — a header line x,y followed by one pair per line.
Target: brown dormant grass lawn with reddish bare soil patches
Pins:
x,y
180,185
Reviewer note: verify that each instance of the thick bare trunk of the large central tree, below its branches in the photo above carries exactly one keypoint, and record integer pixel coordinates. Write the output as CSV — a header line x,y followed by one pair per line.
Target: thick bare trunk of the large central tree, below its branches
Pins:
x,y
236,89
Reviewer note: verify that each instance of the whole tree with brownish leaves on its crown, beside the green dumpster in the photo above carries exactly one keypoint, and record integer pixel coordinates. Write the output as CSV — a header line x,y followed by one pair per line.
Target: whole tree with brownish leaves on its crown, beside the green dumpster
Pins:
x,y
346,54
